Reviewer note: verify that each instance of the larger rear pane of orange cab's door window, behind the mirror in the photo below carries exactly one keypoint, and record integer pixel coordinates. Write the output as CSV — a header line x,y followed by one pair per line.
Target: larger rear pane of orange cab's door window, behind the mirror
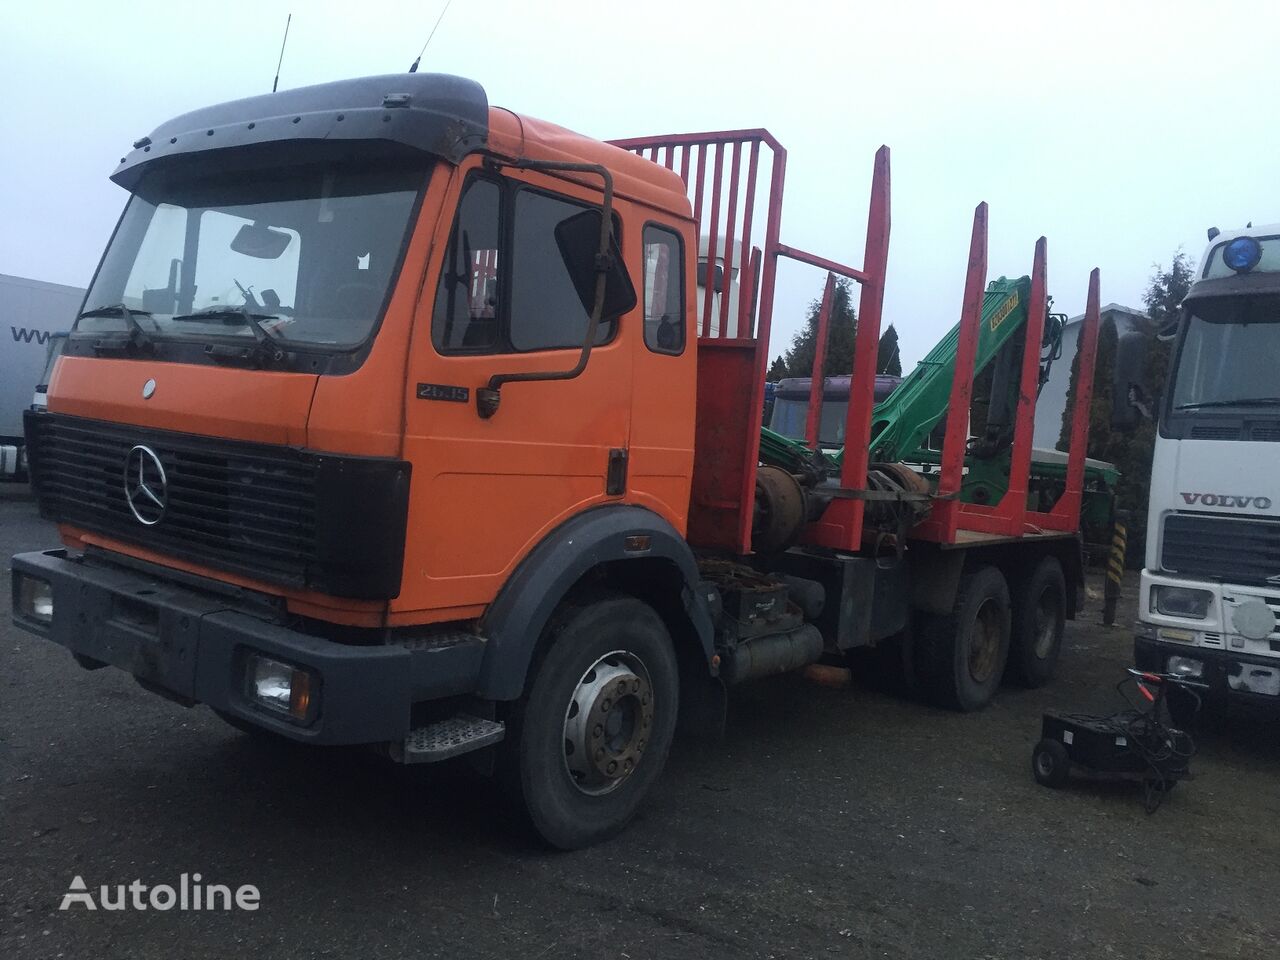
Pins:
x,y
546,310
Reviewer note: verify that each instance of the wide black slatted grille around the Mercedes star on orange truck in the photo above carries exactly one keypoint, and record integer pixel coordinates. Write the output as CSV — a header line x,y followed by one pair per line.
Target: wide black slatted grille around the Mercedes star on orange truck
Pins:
x,y
327,523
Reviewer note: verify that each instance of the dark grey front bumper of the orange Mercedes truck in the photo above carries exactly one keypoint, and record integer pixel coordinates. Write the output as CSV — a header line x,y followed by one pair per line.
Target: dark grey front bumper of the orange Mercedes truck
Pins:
x,y
191,646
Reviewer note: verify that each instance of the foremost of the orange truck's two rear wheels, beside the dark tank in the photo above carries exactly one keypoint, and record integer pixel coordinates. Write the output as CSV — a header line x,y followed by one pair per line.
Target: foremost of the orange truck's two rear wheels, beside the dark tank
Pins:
x,y
961,659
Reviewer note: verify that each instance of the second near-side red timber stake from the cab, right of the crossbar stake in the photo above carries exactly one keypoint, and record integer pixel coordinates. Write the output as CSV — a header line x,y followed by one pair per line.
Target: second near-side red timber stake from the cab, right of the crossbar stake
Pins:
x,y
947,510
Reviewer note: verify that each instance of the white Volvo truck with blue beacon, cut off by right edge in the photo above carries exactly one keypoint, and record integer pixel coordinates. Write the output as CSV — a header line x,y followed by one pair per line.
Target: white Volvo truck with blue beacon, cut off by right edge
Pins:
x,y
1210,595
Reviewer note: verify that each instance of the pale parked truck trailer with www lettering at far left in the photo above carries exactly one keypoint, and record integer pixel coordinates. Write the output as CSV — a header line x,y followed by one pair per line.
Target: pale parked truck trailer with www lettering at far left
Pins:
x,y
31,316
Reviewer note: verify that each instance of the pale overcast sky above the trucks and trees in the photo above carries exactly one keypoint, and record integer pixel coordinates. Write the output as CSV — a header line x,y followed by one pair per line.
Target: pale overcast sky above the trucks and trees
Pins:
x,y
1119,131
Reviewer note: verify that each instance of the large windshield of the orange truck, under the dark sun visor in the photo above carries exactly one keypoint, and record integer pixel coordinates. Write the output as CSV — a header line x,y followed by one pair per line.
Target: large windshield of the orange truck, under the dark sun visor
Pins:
x,y
303,254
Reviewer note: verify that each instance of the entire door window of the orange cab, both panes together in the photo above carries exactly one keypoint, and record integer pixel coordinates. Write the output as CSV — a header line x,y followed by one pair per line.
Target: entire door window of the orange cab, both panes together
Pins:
x,y
505,287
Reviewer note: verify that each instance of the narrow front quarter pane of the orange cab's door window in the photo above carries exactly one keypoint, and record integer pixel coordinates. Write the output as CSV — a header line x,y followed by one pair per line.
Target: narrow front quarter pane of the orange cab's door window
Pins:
x,y
467,304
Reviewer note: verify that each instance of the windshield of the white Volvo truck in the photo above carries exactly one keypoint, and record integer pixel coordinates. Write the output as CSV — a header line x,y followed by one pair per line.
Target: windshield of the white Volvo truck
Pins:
x,y
1228,355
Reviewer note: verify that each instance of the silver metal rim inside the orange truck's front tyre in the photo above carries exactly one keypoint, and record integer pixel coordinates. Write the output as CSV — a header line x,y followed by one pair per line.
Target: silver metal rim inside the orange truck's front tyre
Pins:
x,y
607,723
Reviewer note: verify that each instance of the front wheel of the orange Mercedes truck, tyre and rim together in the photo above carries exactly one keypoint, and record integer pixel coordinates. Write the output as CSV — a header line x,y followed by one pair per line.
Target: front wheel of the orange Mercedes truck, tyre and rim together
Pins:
x,y
591,735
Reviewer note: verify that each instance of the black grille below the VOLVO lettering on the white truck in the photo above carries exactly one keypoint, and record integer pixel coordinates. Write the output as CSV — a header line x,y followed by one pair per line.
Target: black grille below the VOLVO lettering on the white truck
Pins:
x,y
1222,548
